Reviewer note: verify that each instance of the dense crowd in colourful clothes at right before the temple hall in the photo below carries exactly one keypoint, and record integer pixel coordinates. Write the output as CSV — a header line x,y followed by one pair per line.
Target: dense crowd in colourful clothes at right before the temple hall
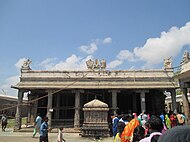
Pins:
x,y
150,128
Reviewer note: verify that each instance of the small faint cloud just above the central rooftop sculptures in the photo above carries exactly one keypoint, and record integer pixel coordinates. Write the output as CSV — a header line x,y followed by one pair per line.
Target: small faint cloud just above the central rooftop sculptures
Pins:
x,y
90,49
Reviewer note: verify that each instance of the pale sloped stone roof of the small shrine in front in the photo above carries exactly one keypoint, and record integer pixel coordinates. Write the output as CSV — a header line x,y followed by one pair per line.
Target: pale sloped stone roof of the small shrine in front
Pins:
x,y
95,104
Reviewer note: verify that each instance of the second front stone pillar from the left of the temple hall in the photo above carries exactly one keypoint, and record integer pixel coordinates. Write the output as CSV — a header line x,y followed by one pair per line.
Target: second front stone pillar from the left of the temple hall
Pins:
x,y
49,107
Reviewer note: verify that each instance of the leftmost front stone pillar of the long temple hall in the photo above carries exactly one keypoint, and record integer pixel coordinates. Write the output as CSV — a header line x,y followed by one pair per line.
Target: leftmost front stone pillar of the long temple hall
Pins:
x,y
18,119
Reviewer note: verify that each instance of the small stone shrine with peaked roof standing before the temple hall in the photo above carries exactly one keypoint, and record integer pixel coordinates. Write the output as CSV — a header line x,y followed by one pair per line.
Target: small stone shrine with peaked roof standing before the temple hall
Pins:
x,y
95,119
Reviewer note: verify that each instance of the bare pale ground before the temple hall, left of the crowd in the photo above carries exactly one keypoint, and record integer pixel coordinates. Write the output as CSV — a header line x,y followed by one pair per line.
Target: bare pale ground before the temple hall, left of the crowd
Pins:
x,y
10,136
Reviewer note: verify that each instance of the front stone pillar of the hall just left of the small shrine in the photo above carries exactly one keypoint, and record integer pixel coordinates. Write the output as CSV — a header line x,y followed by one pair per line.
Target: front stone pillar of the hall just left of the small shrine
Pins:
x,y
77,108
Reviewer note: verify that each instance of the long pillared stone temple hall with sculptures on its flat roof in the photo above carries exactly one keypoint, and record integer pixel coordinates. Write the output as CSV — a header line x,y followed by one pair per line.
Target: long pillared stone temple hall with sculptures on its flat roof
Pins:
x,y
61,94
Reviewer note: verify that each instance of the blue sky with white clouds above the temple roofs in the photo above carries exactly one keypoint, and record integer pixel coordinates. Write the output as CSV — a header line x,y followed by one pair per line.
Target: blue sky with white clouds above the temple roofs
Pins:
x,y
63,34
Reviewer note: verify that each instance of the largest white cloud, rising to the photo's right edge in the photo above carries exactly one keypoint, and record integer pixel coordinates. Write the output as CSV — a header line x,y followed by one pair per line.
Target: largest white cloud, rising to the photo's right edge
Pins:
x,y
168,44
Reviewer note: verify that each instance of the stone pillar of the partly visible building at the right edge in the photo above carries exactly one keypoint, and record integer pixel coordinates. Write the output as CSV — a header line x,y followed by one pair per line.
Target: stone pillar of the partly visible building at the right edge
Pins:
x,y
185,102
